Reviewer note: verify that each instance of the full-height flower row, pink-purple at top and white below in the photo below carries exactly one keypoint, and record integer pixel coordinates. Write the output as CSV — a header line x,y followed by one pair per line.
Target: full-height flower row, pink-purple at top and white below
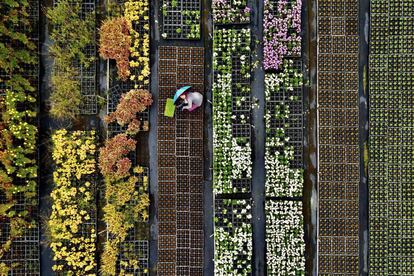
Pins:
x,y
285,246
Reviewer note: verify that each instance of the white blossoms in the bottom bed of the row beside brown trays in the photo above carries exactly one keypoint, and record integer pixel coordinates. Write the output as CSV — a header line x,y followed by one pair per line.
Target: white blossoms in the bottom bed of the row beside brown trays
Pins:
x,y
233,243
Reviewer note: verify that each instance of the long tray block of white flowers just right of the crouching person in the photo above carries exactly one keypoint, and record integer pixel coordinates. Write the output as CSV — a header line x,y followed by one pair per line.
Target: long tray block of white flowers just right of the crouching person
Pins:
x,y
231,113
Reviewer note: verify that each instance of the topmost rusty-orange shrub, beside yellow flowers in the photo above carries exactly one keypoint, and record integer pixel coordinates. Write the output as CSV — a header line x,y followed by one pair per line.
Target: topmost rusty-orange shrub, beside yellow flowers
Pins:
x,y
115,43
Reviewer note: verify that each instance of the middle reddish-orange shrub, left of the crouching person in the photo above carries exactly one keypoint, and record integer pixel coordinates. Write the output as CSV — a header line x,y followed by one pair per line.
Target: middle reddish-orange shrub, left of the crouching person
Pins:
x,y
131,103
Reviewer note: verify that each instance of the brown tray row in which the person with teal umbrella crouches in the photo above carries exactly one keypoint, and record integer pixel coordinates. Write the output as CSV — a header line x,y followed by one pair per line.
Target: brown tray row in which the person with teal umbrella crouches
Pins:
x,y
180,142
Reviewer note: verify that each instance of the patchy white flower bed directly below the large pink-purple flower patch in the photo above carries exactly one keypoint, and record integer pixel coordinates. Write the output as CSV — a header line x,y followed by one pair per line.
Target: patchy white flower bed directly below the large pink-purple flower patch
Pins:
x,y
281,89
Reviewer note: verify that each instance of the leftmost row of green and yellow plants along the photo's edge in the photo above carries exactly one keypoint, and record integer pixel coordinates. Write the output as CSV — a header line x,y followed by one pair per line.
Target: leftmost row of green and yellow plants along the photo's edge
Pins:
x,y
18,130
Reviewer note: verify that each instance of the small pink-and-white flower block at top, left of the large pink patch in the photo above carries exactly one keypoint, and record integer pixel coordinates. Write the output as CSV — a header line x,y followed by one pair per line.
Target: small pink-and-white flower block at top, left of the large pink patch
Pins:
x,y
231,11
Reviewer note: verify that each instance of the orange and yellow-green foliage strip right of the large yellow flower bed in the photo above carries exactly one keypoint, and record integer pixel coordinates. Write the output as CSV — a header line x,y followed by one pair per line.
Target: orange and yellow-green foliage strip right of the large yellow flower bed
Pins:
x,y
126,196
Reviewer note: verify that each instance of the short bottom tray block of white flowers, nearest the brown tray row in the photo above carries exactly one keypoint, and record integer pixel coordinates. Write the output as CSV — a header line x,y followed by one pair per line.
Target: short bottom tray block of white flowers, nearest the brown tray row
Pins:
x,y
233,237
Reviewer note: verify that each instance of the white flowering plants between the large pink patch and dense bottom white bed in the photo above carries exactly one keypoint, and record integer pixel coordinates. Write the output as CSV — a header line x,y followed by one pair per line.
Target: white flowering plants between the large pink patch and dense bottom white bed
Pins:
x,y
281,179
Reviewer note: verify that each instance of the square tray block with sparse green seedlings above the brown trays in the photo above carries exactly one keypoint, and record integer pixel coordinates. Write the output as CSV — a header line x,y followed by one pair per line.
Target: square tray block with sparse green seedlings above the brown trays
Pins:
x,y
181,19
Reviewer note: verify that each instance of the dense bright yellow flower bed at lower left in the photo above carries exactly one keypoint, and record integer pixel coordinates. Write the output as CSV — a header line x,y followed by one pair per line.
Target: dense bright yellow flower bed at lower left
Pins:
x,y
72,221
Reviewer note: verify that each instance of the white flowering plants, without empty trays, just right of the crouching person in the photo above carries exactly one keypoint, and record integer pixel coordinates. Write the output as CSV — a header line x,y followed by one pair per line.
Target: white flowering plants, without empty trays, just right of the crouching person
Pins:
x,y
232,155
